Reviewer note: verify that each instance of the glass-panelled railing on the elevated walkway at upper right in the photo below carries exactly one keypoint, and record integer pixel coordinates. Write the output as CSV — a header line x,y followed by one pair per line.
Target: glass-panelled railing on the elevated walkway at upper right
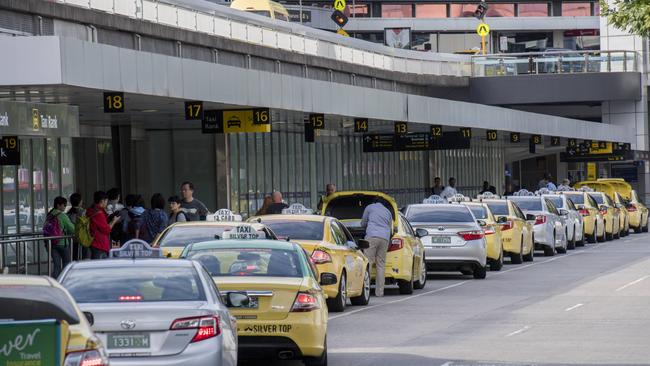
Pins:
x,y
554,62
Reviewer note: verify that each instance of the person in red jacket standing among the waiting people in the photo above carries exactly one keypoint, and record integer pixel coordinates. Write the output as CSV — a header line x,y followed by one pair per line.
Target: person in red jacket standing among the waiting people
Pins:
x,y
100,228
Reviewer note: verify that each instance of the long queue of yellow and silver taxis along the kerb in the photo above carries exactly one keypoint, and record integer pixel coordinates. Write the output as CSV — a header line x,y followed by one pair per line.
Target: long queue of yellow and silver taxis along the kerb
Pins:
x,y
262,289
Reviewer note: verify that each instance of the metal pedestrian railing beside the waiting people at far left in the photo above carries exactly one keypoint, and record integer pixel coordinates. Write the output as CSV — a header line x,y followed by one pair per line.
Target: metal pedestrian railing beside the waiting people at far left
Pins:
x,y
29,253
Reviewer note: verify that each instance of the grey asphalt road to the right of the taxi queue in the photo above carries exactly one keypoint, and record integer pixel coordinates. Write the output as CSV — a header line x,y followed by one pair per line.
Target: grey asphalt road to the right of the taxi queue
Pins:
x,y
588,307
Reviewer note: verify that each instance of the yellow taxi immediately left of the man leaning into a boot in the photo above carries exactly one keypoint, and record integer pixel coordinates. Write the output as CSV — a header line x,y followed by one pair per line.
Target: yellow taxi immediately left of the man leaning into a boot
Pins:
x,y
331,247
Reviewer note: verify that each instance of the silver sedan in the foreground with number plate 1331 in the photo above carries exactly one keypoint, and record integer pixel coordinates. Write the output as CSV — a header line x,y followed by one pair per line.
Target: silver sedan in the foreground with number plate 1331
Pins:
x,y
159,312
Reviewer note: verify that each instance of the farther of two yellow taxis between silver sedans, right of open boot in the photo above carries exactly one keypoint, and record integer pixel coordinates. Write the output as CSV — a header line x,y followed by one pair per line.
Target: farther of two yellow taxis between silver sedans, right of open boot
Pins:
x,y
516,232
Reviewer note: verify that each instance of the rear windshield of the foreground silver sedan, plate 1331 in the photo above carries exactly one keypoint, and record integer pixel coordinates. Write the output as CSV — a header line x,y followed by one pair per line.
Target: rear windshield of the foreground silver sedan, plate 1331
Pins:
x,y
134,283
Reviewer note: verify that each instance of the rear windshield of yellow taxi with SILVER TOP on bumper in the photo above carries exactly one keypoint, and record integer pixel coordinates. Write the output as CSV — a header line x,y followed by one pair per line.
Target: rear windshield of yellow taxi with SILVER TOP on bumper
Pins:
x,y
251,262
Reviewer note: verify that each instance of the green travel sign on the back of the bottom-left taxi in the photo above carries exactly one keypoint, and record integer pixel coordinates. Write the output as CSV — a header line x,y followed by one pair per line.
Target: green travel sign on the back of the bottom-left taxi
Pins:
x,y
30,343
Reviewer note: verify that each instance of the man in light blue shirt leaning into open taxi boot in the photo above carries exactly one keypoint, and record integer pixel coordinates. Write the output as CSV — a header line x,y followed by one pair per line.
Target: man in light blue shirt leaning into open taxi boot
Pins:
x,y
378,222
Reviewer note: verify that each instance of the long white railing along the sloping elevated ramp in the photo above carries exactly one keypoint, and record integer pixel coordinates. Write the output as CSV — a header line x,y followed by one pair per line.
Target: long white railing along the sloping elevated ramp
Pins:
x,y
240,26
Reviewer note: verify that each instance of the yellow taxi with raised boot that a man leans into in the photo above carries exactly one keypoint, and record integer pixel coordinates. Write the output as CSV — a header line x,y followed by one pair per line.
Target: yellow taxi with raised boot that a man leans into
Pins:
x,y
405,258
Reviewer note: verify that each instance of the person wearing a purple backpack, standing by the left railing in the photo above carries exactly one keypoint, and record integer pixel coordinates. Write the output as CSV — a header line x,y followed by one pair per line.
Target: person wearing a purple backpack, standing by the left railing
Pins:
x,y
57,223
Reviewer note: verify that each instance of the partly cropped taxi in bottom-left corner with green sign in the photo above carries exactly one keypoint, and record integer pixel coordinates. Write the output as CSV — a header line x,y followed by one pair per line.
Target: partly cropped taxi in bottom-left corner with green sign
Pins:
x,y
31,298
